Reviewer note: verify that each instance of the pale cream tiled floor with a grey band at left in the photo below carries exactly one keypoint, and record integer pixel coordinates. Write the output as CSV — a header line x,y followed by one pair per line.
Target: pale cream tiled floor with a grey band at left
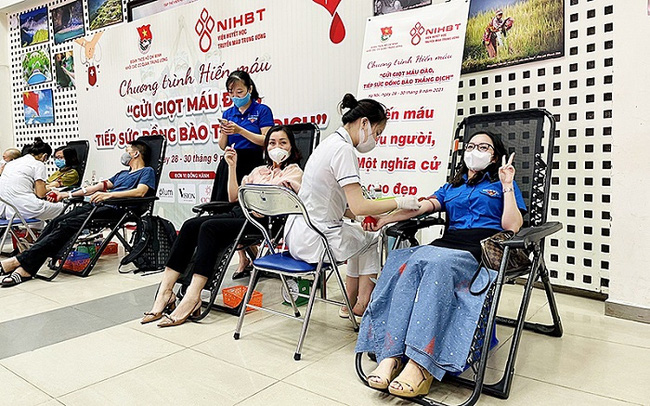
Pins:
x,y
78,342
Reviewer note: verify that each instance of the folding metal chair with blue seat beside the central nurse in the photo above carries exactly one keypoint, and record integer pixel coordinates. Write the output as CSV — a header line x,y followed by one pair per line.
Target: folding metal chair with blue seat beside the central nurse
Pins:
x,y
272,201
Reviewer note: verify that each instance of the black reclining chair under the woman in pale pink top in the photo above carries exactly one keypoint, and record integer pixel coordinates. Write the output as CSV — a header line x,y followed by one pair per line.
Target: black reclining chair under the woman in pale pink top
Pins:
x,y
307,138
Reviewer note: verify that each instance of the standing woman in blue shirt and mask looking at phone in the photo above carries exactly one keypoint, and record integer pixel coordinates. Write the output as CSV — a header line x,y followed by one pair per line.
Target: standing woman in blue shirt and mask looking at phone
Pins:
x,y
243,127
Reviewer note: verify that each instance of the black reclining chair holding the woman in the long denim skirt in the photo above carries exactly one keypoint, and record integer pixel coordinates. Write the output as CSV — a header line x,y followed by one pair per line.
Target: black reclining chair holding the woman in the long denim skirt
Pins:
x,y
530,134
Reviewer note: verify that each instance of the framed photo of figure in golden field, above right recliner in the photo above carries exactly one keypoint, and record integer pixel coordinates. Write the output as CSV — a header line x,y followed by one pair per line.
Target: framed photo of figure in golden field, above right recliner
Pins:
x,y
509,32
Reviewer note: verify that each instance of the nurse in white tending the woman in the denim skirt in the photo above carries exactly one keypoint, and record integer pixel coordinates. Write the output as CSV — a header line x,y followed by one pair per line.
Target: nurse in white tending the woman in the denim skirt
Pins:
x,y
331,189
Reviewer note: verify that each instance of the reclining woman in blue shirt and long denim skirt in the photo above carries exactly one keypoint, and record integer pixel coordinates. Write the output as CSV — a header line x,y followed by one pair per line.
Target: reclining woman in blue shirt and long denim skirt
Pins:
x,y
421,317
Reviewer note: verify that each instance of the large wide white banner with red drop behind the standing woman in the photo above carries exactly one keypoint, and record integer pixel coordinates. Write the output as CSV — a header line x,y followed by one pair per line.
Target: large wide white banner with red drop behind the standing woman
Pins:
x,y
166,73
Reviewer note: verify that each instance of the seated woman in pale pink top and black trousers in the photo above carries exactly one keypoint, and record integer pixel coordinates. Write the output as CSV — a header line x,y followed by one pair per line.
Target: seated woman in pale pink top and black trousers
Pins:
x,y
207,235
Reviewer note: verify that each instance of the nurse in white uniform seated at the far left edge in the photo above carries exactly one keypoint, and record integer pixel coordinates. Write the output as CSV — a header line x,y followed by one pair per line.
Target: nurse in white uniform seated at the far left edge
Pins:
x,y
23,184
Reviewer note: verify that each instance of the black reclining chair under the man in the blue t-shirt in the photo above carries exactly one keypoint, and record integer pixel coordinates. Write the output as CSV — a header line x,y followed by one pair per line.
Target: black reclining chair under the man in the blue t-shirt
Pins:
x,y
134,209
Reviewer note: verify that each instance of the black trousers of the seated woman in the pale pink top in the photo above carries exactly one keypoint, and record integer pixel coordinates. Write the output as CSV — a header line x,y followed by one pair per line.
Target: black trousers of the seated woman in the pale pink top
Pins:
x,y
208,236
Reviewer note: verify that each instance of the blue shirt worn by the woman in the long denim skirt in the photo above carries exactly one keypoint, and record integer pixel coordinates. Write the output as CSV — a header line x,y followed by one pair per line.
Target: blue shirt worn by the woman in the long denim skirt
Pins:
x,y
477,206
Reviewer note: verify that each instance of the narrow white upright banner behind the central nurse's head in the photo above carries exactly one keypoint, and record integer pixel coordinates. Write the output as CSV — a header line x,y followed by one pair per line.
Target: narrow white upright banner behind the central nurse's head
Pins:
x,y
411,63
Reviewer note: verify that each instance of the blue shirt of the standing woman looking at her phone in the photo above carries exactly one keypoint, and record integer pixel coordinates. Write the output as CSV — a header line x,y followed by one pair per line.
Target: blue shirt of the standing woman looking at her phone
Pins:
x,y
253,119
